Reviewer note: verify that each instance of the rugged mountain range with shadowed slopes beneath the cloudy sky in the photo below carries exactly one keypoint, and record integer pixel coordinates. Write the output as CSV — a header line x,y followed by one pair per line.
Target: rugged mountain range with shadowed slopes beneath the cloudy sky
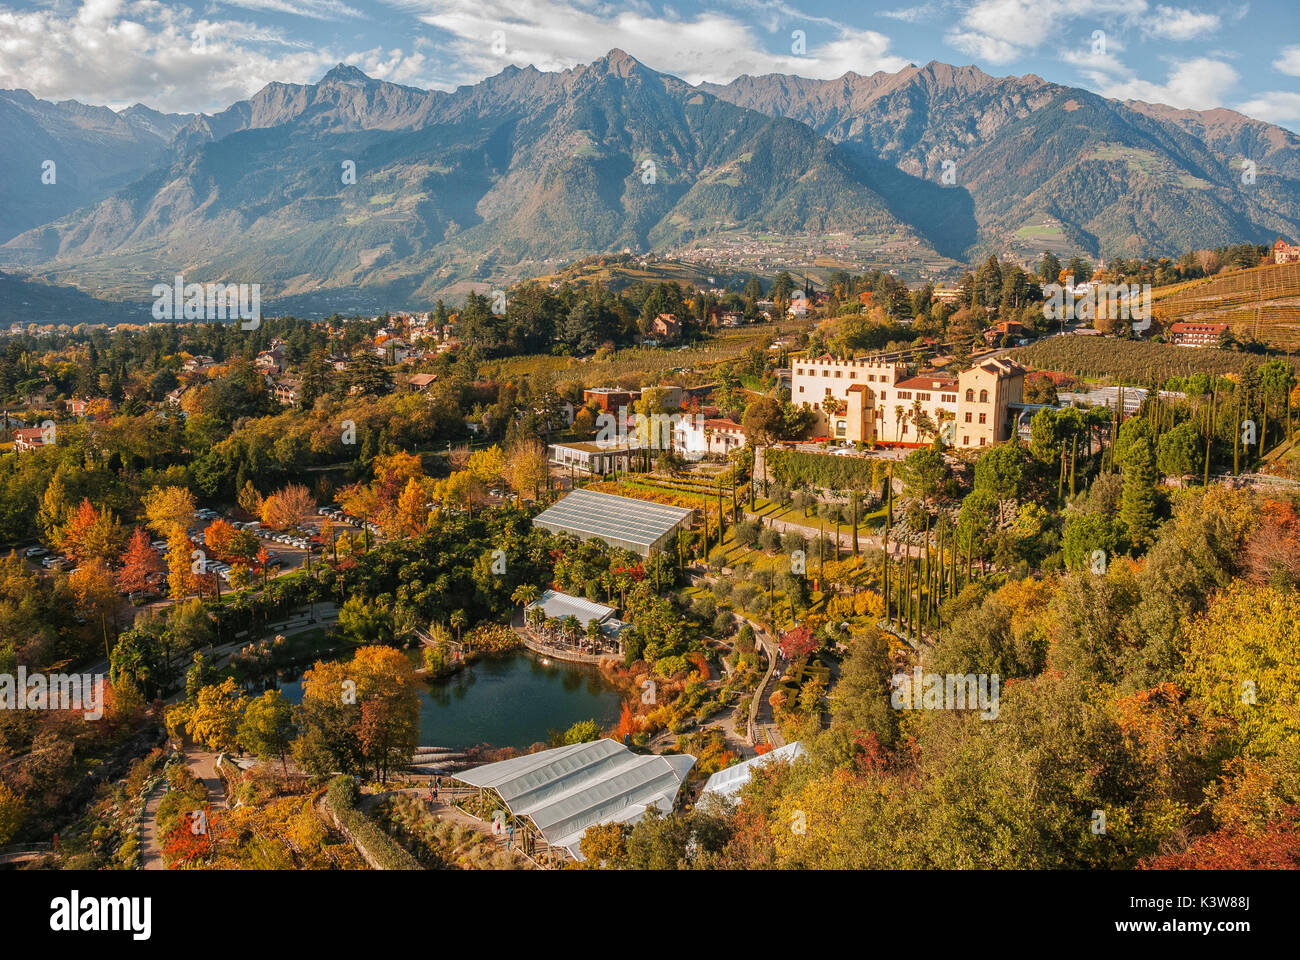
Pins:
x,y
361,185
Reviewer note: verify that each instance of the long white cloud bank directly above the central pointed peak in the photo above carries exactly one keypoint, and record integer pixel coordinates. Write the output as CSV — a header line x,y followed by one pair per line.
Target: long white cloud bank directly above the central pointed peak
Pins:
x,y
556,36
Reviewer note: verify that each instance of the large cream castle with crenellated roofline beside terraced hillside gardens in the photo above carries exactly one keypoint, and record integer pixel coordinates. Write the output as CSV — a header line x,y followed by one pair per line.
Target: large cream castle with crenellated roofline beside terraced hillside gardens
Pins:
x,y
876,401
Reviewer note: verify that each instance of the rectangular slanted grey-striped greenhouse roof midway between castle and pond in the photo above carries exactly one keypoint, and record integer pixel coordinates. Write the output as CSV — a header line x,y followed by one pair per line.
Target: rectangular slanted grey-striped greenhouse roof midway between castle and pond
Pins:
x,y
632,525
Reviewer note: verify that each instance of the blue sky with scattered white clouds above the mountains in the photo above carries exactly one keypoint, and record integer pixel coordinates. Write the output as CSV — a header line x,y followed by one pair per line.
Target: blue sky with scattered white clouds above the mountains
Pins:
x,y
203,57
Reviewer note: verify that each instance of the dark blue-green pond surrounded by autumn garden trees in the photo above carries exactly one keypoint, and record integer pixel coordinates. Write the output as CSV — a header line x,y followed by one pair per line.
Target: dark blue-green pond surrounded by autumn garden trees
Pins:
x,y
513,700
